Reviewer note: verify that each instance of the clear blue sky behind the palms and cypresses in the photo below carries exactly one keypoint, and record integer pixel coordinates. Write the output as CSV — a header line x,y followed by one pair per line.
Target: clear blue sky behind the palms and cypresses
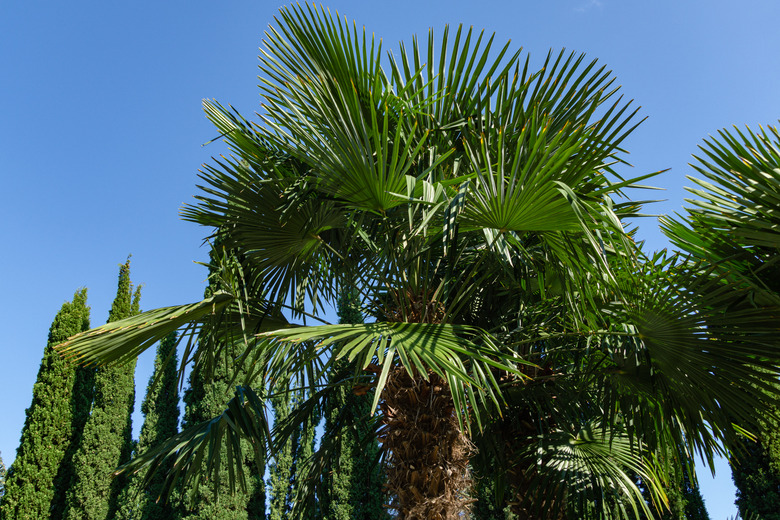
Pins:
x,y
101,131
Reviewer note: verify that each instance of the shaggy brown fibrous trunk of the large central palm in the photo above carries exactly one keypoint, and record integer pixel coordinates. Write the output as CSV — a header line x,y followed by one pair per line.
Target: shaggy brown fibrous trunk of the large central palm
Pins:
x,y
428,456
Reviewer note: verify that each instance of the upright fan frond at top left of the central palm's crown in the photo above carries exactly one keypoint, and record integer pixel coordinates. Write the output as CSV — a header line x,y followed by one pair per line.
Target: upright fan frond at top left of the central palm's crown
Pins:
x,y
336,111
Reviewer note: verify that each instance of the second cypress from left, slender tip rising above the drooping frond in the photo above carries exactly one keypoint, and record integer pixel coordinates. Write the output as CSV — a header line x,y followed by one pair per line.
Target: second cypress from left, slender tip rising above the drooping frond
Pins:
x,y
107,439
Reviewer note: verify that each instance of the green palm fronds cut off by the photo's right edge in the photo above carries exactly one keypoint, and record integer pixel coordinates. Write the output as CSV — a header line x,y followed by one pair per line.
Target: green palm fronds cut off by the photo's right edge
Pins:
x,y
735,219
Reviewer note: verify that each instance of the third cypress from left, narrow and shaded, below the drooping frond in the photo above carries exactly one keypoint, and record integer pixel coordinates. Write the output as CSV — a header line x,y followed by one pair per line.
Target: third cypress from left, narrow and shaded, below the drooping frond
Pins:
x,y
161,421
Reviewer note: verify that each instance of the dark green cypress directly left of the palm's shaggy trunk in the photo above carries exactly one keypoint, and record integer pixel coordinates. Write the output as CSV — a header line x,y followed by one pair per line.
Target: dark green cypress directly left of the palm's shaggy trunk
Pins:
x,y
353,487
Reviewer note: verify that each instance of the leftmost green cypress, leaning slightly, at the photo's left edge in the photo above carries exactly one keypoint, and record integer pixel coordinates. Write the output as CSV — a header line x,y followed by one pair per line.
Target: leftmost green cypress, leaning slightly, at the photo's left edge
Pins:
x,y
38,477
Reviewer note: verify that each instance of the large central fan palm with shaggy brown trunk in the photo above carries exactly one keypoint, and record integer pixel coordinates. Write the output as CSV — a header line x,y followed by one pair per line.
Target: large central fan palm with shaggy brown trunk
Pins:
x,y
512,322
